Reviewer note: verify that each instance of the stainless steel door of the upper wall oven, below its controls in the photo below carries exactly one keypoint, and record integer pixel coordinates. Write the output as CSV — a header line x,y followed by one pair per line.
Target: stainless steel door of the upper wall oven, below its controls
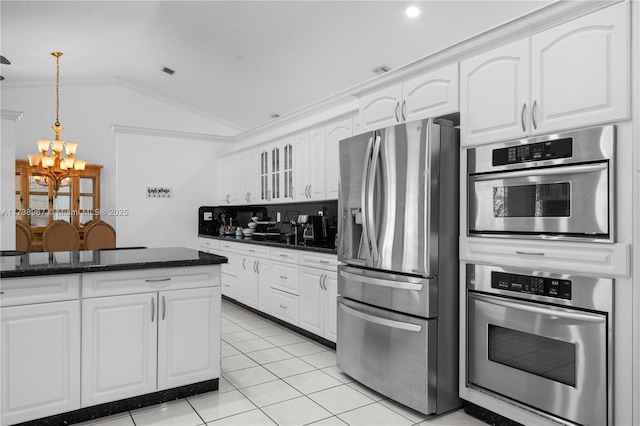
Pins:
x,y
561,200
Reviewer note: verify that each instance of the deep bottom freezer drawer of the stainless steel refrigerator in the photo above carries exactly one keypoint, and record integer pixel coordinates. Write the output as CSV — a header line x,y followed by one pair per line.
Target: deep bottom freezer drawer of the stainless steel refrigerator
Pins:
x,y
389,352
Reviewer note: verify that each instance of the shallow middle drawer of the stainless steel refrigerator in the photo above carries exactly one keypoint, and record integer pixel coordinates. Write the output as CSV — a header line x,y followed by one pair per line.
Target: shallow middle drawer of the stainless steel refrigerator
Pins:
x,y
411,295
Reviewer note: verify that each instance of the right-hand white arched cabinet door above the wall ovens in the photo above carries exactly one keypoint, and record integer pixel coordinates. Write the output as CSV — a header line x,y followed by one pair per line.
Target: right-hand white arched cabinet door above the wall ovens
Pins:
x,y
580,71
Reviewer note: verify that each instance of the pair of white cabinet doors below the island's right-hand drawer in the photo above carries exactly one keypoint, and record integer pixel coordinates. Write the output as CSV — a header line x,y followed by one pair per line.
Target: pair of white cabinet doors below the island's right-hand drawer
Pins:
x,y
142,343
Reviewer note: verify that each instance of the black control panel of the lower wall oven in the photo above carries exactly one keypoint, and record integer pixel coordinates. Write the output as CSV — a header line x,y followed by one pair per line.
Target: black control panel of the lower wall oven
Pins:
x,y
540,286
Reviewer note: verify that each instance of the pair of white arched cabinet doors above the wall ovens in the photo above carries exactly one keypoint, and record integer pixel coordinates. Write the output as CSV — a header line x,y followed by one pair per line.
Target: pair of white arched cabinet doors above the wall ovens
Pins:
x,y
573,75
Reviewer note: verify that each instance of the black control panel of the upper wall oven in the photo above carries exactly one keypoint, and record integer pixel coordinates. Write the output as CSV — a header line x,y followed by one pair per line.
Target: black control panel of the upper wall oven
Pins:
x,y
548,150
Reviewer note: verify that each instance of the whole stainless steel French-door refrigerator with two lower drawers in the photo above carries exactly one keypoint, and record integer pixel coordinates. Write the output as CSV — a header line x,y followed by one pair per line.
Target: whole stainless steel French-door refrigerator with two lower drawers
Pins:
x,y
398,241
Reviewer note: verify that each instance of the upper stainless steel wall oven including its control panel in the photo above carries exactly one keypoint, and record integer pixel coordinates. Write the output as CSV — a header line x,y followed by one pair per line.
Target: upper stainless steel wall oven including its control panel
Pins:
x,y
556,186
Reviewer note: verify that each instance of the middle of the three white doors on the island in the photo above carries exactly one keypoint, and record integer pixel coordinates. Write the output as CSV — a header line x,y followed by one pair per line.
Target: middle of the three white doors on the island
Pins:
x,y
119,347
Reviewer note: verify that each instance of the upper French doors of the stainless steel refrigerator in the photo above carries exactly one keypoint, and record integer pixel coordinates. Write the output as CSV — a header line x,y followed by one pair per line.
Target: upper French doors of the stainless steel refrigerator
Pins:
x,y
382,173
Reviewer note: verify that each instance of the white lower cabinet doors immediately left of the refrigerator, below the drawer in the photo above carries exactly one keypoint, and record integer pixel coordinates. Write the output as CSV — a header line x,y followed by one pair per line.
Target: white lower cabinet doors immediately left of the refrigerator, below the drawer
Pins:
x,y
318,299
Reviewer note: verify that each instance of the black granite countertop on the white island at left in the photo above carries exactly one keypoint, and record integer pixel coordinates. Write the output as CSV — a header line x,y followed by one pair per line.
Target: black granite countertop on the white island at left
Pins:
x,y
73,262
